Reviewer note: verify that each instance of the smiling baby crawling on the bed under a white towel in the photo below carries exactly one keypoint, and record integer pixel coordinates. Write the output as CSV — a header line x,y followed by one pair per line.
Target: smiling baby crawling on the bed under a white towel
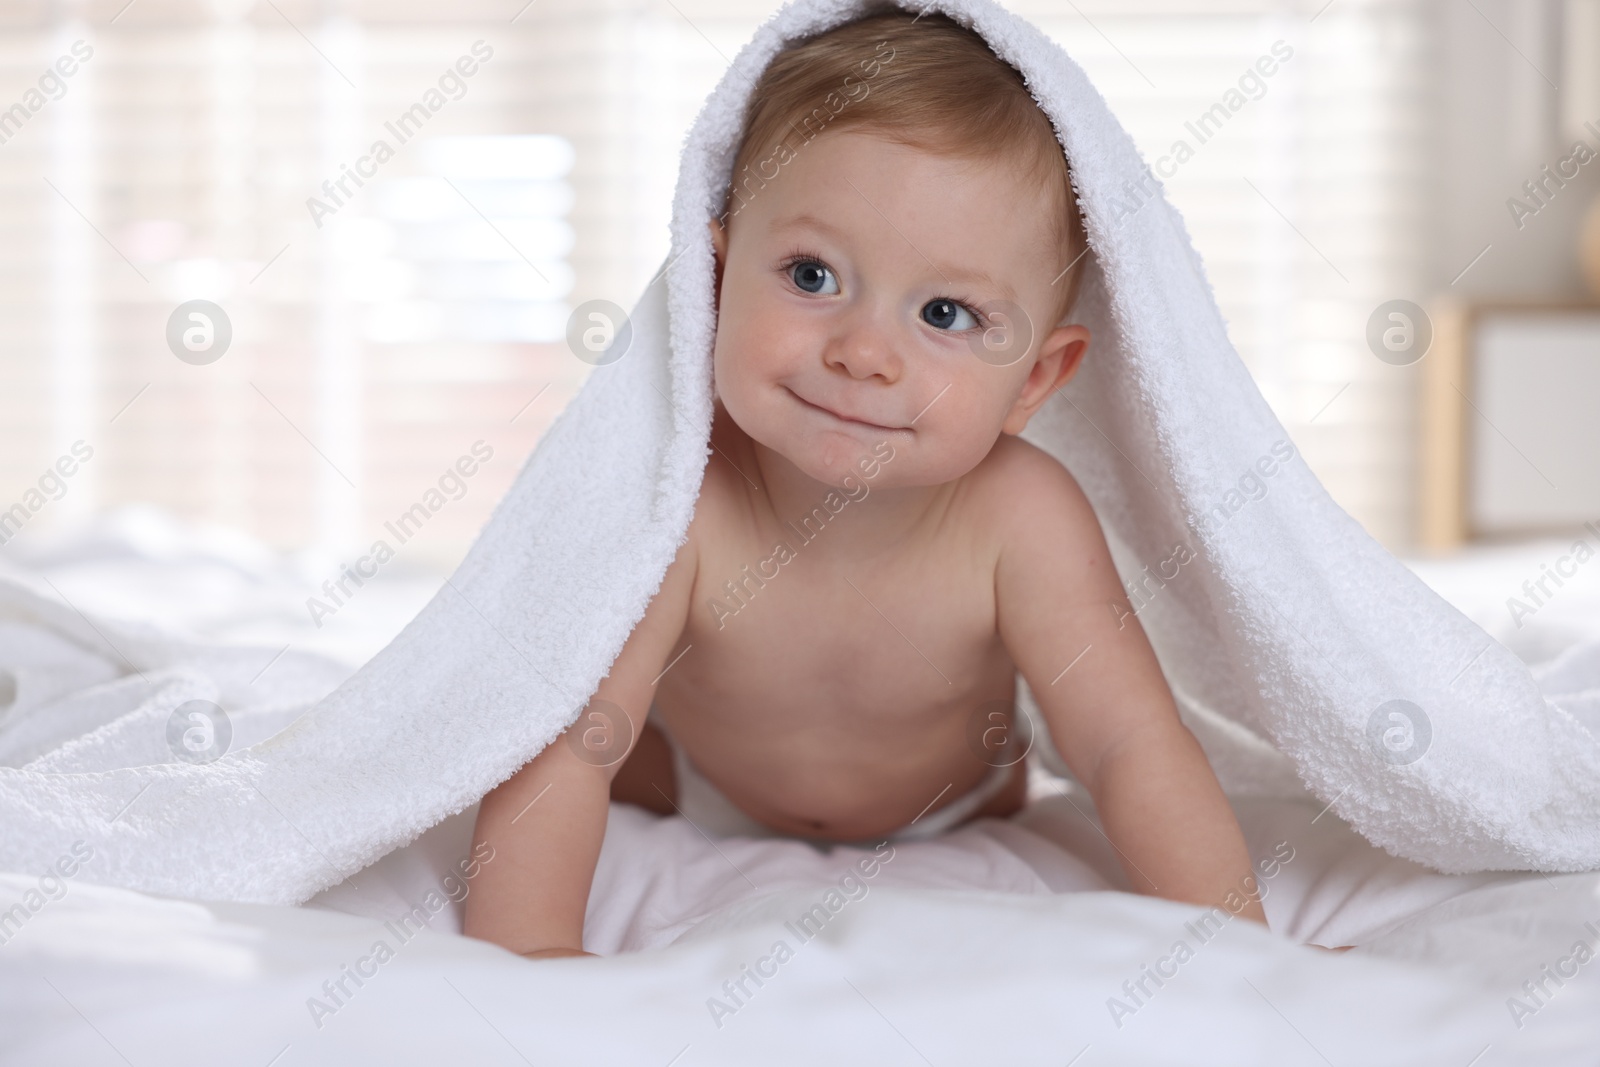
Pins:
x,y
876,553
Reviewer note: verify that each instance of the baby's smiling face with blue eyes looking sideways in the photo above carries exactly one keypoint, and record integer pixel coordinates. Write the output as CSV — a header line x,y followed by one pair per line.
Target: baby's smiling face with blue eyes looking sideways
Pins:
x,y
854,310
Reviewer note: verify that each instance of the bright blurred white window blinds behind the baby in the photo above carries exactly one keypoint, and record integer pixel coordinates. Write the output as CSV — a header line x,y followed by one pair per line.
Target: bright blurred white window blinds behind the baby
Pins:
x,y
377,340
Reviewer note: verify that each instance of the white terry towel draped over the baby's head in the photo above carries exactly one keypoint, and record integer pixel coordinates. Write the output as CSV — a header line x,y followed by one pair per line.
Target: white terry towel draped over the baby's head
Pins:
x,y
1287,637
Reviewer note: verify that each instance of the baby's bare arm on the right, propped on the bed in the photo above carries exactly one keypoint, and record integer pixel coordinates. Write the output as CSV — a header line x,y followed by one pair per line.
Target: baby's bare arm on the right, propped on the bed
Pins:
x,y
1111,714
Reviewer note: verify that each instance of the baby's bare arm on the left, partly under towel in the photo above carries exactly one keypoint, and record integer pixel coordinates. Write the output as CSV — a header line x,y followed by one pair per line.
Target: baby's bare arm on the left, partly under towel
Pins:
x,y
548,820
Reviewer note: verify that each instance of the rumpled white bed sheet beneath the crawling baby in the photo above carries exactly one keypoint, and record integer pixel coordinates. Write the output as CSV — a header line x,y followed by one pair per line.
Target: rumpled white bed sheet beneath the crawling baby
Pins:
x,y
998,943
